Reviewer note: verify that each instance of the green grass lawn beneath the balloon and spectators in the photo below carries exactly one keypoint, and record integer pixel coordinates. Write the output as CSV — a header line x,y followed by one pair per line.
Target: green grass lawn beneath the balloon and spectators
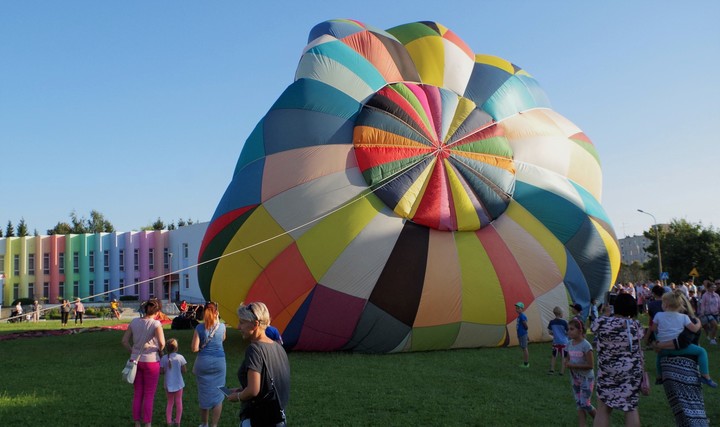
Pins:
x,y
75,380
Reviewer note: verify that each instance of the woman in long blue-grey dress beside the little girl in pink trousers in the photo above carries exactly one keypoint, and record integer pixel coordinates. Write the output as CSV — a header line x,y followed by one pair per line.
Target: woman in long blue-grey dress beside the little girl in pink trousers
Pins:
x,y
209,368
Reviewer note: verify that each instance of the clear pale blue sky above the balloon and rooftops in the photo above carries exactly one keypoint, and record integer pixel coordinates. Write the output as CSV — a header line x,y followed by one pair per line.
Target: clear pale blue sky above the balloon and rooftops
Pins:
x,y
166,92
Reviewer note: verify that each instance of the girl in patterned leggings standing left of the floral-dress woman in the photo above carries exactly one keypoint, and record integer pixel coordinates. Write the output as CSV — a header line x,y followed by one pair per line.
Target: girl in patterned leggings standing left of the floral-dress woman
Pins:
x,y
579,359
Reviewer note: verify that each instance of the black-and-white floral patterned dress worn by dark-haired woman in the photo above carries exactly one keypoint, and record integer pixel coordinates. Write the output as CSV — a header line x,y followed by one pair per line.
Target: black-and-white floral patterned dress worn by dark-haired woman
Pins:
x,y
620,361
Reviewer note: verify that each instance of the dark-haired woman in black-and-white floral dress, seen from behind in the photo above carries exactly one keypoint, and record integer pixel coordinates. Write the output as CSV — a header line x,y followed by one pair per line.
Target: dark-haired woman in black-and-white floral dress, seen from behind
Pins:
x,y
620,362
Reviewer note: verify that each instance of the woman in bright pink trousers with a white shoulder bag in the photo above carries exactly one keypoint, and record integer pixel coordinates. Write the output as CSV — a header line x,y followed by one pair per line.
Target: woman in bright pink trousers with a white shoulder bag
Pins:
x,y
145,339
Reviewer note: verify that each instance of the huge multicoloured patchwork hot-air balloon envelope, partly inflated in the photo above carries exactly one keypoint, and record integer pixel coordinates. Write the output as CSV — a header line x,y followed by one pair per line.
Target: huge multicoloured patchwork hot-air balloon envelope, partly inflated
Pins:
x,y
403,194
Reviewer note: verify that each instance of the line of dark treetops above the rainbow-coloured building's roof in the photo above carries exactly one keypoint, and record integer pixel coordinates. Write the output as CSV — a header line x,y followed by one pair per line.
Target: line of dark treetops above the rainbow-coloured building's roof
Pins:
x,y
96,223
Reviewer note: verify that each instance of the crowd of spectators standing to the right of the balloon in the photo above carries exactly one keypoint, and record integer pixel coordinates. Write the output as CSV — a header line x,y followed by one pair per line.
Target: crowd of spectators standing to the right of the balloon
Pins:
x,y
676,314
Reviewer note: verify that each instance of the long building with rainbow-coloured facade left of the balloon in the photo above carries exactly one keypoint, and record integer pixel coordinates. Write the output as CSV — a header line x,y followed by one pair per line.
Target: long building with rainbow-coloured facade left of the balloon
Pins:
x,y
102,266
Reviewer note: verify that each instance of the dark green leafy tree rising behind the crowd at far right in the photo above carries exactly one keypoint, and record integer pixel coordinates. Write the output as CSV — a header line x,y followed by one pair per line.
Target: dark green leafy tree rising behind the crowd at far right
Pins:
x,y
685,246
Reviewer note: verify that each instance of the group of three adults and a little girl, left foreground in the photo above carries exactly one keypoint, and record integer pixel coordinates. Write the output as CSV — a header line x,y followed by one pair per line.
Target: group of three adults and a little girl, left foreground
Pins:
x,y
263,376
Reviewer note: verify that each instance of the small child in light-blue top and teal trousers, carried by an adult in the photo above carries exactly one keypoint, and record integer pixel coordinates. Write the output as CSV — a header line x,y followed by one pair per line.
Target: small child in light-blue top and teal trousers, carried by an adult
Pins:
x,y
669,324
